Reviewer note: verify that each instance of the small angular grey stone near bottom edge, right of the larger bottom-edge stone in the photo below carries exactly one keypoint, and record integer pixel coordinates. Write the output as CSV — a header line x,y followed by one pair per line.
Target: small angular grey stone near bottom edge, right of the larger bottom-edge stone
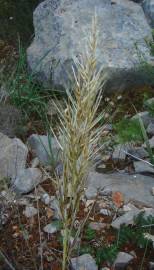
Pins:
x,y
122,260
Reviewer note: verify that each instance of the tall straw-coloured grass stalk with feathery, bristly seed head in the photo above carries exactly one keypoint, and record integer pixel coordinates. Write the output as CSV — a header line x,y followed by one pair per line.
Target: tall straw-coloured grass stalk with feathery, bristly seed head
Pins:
x,y
79,131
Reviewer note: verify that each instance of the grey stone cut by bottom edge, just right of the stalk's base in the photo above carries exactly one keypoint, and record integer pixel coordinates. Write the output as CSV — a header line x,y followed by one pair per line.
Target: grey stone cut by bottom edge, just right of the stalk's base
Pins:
x,y
85,262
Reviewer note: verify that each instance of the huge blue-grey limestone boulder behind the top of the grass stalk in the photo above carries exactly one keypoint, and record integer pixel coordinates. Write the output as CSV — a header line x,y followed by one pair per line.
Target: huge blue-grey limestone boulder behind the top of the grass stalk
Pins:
x,y
61,29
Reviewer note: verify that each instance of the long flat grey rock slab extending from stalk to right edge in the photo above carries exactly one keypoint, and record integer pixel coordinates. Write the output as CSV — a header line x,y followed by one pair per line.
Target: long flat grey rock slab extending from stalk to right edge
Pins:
x,y
134,187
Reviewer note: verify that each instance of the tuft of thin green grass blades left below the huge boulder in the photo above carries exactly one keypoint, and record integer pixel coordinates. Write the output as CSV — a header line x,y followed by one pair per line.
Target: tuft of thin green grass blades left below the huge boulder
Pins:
x,y
24,92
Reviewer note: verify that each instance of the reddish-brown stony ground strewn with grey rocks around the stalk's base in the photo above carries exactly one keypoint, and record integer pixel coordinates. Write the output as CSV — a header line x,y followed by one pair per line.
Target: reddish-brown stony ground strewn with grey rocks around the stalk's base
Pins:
x,y
30,217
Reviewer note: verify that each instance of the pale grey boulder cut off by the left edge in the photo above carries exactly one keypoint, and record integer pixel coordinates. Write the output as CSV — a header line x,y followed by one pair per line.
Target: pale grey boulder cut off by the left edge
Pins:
x,y
13,155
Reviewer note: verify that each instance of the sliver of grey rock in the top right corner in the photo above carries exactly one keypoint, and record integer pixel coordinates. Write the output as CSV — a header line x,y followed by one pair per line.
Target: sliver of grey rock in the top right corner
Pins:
x,y
148,7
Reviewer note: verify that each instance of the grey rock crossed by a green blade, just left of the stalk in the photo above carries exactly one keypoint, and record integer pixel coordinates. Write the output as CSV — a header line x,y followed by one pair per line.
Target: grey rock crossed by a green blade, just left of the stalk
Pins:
x,y
45,148
